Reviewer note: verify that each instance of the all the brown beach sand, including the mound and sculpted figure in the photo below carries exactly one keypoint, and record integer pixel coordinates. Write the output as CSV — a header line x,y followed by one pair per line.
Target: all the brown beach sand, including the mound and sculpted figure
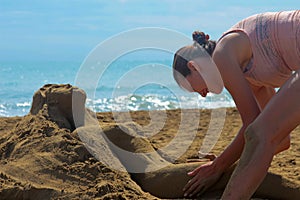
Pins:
x,y
43,155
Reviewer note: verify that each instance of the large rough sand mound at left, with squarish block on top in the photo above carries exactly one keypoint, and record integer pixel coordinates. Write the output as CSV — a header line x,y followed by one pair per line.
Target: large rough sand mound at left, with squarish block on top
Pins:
x,y
41,158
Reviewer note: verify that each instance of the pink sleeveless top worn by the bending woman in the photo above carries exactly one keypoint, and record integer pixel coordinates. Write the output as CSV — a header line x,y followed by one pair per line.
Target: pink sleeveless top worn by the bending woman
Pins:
x,y
275,43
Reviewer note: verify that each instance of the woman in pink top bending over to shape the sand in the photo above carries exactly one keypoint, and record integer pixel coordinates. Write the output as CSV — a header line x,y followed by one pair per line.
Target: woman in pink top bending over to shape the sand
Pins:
x,y
255,56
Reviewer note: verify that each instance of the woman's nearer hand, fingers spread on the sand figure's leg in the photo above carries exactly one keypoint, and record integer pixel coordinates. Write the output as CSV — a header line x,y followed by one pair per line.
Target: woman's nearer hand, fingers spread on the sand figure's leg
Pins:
x,y
204,176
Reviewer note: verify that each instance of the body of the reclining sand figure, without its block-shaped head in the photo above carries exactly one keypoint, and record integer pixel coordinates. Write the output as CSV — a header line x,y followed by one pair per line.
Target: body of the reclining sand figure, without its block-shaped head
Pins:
x,y
158,182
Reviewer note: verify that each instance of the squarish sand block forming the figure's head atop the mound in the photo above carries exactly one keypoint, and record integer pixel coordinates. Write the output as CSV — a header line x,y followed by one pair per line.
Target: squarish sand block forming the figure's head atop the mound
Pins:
x,y
60,104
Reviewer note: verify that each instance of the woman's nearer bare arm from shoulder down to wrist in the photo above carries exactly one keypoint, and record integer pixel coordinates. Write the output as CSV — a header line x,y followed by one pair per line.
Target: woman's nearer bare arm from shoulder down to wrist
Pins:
x,y
231,51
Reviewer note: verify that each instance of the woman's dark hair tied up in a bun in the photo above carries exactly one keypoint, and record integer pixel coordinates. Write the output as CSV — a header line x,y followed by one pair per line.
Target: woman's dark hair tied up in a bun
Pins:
x,y
188,53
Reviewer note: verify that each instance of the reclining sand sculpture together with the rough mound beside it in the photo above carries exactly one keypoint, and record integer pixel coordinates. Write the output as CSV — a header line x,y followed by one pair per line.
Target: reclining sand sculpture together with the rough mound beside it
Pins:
x,y
44,155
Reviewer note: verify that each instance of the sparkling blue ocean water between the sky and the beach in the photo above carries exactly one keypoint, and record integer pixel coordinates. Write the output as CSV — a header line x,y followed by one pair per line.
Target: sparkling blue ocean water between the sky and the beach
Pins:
x,y
19,81
